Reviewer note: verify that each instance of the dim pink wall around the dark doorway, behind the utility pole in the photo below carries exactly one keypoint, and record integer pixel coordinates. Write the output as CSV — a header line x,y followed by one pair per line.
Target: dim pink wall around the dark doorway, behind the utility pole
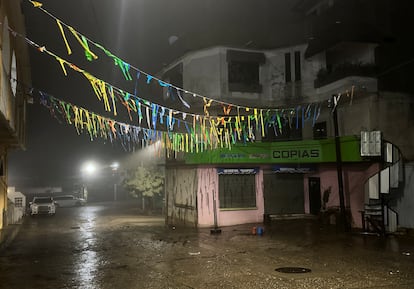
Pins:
x,y
354,178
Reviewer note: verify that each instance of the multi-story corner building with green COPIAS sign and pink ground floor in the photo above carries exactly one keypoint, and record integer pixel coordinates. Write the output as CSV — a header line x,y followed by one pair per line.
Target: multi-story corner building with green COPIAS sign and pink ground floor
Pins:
x,y
333,88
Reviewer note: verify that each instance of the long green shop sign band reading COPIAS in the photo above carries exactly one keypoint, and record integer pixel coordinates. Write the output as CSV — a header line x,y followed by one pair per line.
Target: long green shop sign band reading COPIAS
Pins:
x,y
309,151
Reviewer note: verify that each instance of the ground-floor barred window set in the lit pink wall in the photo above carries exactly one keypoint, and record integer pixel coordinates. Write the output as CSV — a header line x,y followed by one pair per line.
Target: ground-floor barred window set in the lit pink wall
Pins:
x,y
237,191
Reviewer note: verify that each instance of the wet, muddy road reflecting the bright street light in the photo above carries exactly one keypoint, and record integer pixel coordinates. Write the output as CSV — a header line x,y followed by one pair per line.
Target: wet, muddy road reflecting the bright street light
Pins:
x,y
111,246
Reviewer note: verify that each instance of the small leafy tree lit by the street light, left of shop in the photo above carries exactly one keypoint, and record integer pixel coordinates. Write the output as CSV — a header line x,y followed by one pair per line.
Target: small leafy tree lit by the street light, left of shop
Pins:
x,y
146,182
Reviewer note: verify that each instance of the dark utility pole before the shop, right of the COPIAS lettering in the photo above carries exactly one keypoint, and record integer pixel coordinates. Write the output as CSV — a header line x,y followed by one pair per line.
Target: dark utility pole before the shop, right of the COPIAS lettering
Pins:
x,y
334,104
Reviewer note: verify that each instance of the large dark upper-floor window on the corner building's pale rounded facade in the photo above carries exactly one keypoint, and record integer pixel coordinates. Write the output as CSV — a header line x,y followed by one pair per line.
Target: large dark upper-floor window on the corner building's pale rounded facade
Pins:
x,y
244,70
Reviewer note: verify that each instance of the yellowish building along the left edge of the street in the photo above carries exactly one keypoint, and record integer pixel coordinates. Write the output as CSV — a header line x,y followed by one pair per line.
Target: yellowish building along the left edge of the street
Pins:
x,y
14,86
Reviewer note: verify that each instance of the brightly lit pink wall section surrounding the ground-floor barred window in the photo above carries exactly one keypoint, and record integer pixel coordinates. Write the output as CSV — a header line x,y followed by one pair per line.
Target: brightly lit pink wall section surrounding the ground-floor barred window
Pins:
x,y
208,190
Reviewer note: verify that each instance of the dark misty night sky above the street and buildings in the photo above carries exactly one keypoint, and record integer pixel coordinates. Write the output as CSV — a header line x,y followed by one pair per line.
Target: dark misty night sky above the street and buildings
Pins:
x,y
140,33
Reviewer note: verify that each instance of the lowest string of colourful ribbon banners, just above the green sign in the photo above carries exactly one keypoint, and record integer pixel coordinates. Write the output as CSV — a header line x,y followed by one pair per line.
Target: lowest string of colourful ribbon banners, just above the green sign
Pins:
x,y
97,126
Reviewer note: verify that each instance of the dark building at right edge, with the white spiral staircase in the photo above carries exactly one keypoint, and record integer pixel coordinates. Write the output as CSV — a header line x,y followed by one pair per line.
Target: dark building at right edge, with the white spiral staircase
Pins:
x,y
368,43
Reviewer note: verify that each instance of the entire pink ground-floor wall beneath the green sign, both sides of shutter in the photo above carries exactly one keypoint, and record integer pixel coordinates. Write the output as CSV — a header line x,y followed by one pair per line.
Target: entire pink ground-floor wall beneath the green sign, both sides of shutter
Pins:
x,y
354,178
